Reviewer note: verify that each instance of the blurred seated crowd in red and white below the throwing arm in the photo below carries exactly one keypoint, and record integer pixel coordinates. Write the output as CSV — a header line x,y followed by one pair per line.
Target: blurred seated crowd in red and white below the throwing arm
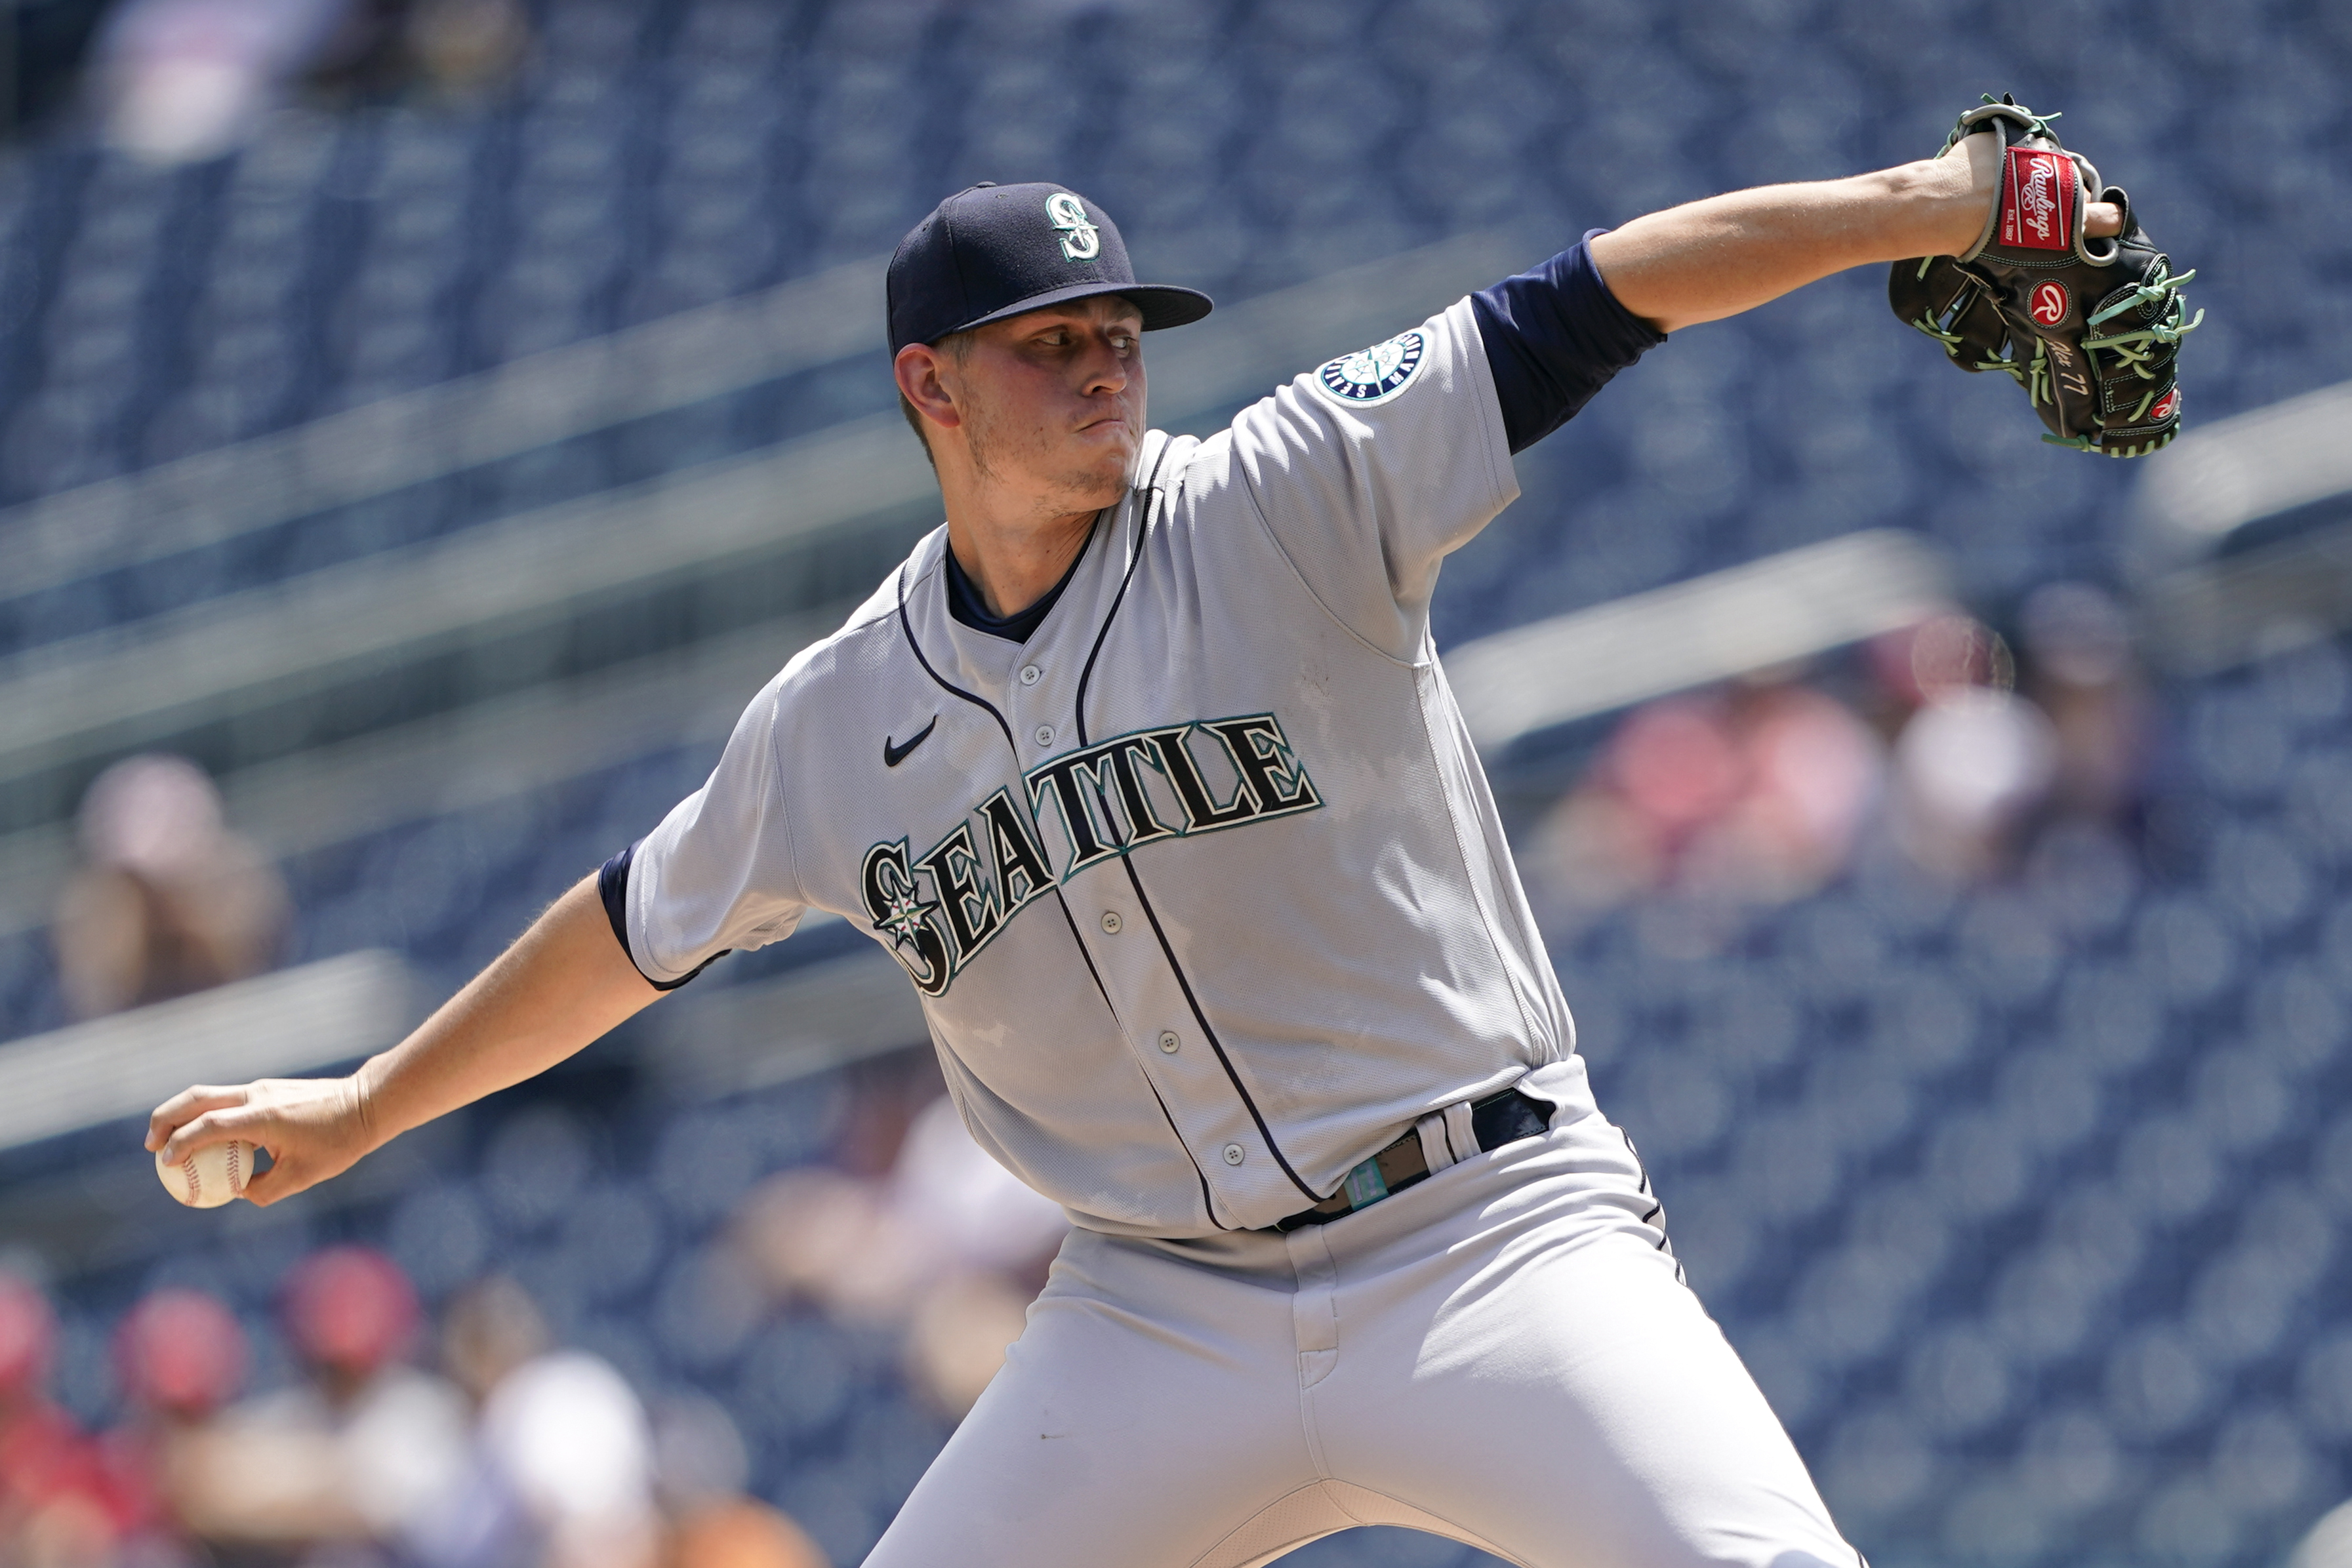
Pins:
x,y
342,1426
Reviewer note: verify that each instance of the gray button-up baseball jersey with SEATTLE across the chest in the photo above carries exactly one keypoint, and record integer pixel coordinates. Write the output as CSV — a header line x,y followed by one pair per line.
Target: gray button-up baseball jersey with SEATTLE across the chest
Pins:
x,y
1203,885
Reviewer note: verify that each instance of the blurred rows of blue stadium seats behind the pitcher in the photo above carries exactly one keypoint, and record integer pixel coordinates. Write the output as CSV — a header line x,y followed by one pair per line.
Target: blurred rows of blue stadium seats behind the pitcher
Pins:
x,y
2026,1202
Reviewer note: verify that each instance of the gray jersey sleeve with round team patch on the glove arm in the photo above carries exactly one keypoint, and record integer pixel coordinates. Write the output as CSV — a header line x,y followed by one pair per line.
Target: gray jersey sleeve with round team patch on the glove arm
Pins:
x,y
1375,467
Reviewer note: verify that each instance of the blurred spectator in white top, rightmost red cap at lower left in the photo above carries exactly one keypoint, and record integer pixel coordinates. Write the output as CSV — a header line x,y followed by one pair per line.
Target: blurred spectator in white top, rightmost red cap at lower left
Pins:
x,y
363,1454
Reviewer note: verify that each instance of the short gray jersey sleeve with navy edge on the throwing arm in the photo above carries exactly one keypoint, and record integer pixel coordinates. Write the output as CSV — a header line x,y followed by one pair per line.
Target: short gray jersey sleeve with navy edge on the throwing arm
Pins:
x,y
719,873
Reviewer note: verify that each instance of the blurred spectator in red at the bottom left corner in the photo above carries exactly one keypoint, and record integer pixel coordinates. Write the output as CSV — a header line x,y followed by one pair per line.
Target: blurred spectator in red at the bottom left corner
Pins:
x,y
55,1503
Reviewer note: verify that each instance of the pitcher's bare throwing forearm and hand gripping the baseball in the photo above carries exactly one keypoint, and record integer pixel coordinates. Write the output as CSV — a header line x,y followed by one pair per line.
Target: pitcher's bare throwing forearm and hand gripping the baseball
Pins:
x,y
559,989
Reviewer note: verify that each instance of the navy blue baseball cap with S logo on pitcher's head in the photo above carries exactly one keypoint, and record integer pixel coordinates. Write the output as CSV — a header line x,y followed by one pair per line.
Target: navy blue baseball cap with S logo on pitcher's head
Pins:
x,y
1001,250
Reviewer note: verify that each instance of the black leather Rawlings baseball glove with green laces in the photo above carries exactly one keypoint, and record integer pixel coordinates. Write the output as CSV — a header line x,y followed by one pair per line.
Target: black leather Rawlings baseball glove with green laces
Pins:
x,y
2087,328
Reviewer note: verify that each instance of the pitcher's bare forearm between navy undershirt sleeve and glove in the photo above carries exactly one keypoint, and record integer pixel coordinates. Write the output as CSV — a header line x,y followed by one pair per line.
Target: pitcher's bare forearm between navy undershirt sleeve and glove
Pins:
x,y
1735,253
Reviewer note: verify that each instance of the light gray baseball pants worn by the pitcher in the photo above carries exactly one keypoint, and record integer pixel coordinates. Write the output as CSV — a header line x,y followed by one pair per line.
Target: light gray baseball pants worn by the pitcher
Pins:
x,y
1502,1355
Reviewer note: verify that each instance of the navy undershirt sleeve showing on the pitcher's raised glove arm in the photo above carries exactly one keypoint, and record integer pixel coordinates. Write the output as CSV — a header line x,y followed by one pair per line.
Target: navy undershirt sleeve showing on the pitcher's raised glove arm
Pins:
x,y
1556,337
